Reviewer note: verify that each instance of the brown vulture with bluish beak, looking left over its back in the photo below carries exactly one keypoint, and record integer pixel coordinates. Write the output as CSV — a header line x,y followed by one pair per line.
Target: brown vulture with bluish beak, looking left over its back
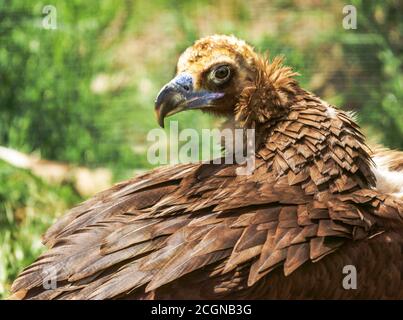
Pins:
x,y
320,215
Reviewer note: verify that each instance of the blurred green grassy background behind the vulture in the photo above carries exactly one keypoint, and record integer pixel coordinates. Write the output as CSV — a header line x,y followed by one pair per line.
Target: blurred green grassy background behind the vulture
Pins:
x,y
82,95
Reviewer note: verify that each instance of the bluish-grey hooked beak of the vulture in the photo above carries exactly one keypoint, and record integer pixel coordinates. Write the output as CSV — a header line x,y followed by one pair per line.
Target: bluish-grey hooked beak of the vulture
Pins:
x,y
178,95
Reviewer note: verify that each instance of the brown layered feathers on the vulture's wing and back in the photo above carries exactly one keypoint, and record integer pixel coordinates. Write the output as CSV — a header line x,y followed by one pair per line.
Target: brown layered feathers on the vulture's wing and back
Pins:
x,y
188,225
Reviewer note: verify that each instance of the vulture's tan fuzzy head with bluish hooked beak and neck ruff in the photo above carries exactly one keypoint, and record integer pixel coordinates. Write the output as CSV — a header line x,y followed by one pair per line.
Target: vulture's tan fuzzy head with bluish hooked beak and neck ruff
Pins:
x,y
225,76
